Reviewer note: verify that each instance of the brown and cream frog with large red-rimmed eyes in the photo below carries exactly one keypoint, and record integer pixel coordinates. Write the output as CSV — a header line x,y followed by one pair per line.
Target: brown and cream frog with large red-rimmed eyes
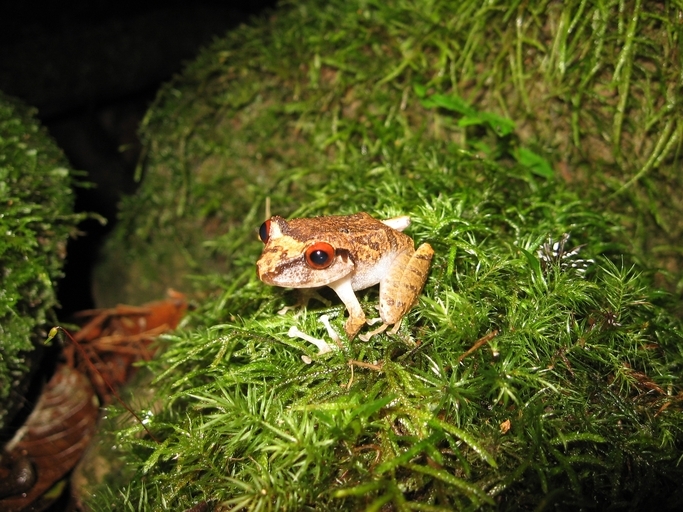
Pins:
x,y
348,253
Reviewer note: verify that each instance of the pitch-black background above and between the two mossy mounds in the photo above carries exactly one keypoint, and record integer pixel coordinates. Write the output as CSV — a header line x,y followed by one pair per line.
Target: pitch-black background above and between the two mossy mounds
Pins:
x,y
92,68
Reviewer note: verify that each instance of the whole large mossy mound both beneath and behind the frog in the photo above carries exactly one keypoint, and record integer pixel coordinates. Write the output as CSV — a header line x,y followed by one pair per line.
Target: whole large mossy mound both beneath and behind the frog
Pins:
x,y
521,380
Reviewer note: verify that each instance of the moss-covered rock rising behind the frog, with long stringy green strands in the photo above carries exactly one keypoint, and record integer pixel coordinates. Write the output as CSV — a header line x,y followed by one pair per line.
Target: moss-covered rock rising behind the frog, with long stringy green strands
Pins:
x,y
592,86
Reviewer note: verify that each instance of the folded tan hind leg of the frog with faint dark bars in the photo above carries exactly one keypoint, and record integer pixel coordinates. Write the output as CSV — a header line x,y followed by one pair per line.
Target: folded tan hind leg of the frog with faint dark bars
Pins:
x,y
399,290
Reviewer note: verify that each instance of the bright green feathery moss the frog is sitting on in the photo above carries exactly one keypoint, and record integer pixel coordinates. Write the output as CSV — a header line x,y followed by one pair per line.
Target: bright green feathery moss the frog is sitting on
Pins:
x,y
572,397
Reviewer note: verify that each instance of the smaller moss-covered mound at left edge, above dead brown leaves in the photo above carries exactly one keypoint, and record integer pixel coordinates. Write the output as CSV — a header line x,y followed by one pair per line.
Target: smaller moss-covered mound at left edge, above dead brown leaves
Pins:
x,y
36,218
